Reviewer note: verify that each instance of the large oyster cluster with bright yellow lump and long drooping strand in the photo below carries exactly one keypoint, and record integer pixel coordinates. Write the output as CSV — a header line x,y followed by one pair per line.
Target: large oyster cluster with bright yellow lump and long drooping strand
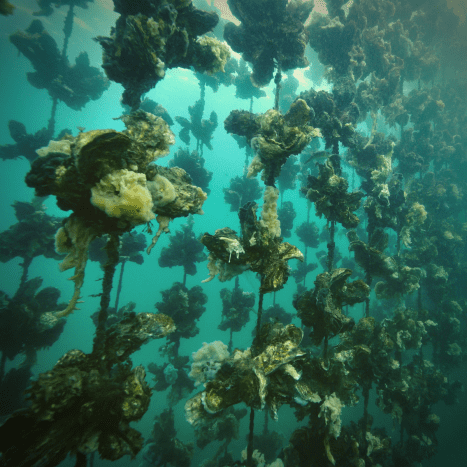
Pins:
x,y
107,179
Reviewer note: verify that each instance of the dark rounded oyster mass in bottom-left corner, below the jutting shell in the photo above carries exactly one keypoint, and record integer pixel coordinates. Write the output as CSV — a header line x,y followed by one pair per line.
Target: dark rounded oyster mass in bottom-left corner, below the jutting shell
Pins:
x,y
76,384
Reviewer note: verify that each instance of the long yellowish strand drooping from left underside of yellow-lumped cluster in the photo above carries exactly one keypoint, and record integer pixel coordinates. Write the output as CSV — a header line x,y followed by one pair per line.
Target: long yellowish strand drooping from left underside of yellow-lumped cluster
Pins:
x,y
74,239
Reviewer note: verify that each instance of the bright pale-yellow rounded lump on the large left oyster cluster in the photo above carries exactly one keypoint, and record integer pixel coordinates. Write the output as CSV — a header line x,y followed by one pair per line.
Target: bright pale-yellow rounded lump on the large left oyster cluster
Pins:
x,y
124,194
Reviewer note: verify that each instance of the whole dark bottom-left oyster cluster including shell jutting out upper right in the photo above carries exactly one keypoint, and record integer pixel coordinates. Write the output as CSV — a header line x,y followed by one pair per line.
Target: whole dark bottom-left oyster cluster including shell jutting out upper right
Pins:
x,y
78,383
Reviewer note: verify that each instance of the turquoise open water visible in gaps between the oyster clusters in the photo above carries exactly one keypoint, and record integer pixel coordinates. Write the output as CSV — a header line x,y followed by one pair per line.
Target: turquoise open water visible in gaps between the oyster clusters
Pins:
x,y
143,283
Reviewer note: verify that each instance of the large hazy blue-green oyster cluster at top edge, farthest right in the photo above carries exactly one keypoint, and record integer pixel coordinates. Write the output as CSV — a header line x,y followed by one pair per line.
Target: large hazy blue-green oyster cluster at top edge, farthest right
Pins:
x,y
377,40
